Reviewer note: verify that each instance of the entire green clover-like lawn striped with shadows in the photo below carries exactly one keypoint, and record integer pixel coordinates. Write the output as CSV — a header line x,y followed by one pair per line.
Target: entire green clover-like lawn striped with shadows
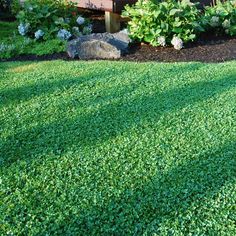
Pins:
x,y
118,148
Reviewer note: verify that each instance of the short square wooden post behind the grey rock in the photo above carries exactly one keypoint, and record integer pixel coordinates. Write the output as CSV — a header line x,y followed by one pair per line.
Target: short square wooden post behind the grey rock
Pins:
x,y
112,21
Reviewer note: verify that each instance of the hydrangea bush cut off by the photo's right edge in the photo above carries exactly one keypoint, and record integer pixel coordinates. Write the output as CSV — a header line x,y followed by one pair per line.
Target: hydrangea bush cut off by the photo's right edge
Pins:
x,y
221,17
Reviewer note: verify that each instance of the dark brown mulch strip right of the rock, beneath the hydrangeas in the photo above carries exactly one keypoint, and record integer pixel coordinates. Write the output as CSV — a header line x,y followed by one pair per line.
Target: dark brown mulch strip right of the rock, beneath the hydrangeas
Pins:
x,y
215,49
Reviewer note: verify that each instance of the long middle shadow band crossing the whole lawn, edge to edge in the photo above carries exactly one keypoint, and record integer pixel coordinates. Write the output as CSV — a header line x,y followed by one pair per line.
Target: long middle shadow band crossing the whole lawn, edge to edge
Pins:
x,y
109,121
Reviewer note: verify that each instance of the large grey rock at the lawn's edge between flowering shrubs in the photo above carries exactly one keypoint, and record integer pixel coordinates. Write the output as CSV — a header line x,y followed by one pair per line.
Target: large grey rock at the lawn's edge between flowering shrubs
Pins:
x,y
99,46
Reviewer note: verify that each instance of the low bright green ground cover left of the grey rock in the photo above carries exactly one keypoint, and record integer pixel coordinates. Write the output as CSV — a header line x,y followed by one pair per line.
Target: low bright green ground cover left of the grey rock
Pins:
x,y
11,44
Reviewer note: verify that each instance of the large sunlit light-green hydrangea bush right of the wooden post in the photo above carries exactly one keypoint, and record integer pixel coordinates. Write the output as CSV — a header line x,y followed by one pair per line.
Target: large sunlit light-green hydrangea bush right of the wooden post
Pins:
x,y
163,23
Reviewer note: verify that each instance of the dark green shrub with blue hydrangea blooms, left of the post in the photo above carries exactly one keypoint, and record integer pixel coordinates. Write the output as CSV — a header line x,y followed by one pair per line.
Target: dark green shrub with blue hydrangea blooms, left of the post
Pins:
x,y
47,19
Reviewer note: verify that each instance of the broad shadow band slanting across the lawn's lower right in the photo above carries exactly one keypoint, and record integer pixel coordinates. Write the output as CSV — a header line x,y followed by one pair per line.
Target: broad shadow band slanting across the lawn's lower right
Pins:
x,y
183,194
